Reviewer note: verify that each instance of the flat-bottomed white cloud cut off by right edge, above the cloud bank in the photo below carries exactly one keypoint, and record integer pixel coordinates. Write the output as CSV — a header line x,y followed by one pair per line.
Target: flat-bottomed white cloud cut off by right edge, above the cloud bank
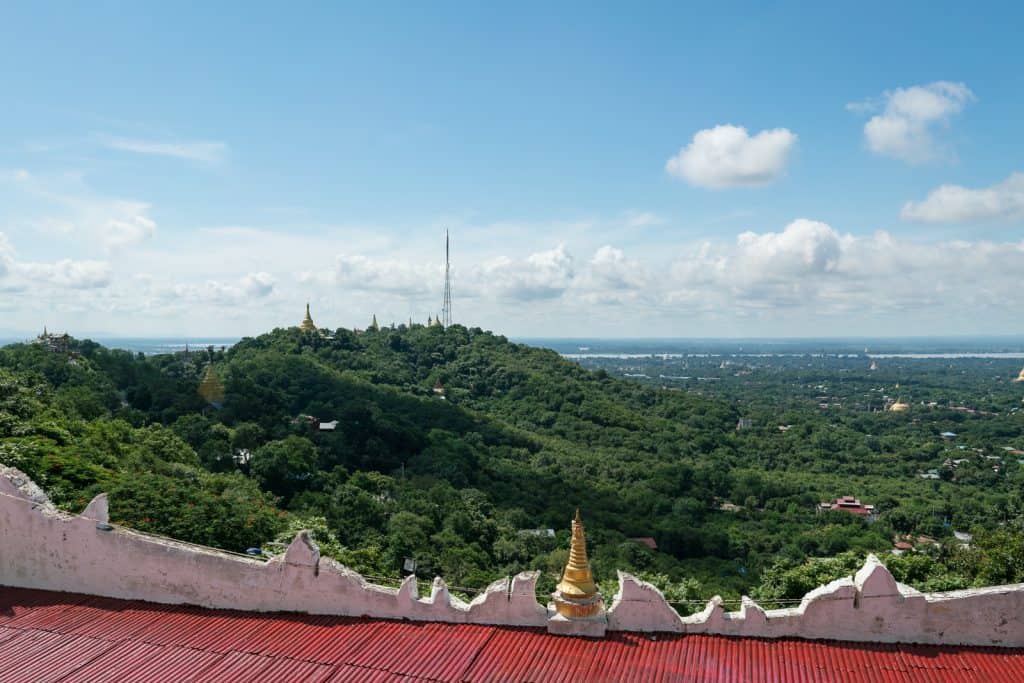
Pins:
x,y
956,204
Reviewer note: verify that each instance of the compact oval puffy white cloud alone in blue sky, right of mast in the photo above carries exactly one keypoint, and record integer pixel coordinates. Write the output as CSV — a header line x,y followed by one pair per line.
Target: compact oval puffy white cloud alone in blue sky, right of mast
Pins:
x,y
730,157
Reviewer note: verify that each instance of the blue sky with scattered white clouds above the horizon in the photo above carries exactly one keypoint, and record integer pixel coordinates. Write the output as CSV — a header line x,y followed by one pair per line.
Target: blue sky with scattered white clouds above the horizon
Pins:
x,y
726,169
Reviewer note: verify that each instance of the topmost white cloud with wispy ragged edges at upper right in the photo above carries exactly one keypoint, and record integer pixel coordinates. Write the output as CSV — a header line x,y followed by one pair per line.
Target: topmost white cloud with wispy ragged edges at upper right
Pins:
x,y
905,129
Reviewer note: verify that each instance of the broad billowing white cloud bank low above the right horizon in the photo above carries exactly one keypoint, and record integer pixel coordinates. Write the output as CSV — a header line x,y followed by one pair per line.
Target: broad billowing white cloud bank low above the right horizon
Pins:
x,y
810,266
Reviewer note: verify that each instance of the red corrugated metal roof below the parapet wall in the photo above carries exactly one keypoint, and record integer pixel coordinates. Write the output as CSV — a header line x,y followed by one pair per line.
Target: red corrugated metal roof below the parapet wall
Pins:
x,y
58,637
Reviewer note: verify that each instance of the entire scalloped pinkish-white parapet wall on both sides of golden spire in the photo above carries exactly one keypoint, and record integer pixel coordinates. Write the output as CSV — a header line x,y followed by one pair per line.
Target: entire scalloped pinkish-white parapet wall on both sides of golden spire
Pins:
x,y
44,548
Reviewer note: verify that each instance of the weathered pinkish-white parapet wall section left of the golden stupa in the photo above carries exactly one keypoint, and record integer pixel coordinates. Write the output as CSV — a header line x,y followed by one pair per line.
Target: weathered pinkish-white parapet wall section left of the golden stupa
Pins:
x,y
41,547
